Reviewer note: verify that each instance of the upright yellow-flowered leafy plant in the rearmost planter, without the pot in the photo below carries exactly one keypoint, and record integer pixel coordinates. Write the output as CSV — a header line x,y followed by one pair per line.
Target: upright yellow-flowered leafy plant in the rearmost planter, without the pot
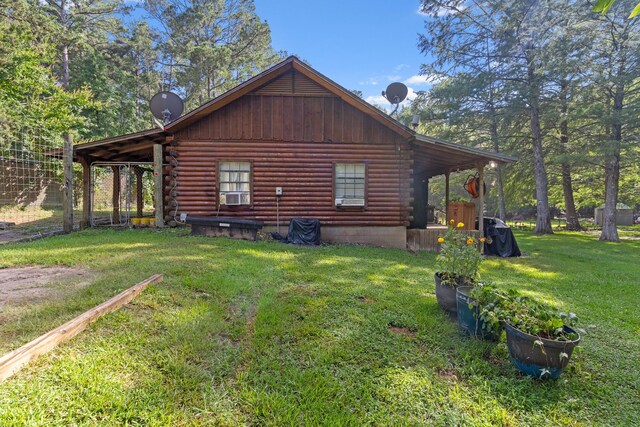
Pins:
x,y
459,259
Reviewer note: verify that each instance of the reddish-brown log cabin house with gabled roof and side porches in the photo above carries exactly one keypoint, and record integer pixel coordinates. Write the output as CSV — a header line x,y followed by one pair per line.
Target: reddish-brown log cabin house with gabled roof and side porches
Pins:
x,y
333,156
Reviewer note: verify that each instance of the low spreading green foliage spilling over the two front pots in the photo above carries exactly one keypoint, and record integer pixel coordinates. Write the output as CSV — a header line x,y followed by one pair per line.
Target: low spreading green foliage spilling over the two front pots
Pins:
x,y
523,313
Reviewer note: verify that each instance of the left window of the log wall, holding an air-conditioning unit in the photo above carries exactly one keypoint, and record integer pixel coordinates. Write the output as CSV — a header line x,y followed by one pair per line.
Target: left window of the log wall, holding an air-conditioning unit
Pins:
x,y
235,183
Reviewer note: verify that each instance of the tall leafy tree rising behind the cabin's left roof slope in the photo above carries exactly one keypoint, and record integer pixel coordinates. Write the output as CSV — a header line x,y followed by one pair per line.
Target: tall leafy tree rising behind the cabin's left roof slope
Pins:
x,y
209,46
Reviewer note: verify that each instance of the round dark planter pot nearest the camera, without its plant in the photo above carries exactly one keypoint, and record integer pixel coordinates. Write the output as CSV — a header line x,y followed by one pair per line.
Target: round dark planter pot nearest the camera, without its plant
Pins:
x,y
546,361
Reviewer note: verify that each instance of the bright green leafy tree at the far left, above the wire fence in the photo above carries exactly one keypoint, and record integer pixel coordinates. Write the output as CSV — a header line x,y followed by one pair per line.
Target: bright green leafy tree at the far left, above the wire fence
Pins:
x,y
31,101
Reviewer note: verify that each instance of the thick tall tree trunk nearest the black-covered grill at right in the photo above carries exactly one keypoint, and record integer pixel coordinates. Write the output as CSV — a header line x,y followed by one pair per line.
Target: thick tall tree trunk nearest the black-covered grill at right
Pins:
x,y
543,215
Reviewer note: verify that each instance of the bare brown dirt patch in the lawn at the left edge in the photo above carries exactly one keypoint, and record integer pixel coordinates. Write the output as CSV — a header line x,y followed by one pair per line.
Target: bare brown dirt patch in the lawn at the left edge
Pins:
x,y
29,284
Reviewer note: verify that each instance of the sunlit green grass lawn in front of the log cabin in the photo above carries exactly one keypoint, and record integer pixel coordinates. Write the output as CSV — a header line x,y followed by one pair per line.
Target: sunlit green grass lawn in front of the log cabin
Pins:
x,y
263,333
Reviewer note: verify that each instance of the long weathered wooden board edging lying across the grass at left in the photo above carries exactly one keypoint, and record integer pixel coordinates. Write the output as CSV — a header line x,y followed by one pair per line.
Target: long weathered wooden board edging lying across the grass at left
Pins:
x,y
12,362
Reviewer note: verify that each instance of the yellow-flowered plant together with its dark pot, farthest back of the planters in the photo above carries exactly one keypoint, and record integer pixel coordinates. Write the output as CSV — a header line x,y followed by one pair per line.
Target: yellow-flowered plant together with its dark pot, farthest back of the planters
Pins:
x,y
458,263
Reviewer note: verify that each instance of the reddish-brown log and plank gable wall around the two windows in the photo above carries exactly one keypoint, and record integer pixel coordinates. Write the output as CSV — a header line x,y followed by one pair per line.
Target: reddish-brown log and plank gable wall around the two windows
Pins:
x,y
293,143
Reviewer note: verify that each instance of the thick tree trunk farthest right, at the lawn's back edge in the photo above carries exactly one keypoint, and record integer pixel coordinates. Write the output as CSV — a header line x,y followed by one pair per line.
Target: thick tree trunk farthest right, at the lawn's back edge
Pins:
x,y
612,170
